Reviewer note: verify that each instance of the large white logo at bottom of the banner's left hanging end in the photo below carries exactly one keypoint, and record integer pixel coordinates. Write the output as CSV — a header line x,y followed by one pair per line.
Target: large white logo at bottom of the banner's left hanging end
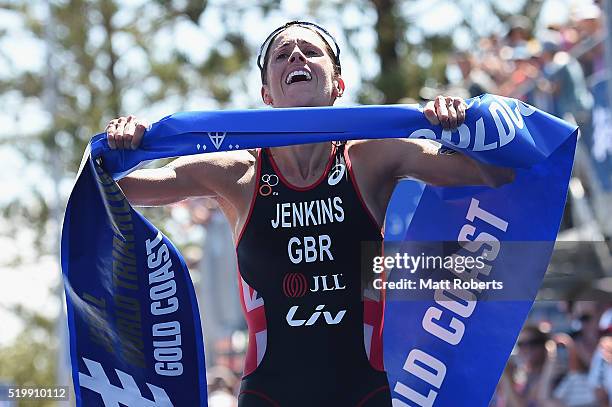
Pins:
x,y
112,395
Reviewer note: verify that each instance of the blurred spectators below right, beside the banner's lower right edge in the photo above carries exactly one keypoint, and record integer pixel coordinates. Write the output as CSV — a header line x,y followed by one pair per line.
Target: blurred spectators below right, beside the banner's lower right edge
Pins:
x,y
568,365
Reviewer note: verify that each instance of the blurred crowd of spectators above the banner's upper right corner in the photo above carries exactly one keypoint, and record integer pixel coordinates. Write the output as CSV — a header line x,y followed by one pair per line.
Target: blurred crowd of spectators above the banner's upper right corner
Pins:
x,y
549,69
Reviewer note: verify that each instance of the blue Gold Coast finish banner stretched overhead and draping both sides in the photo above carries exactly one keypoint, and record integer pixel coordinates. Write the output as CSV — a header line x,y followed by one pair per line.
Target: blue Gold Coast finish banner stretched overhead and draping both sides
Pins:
x,y
135,334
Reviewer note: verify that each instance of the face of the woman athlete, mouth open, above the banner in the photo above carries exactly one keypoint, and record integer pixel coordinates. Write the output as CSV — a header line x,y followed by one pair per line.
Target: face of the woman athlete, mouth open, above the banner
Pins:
x,y
300,72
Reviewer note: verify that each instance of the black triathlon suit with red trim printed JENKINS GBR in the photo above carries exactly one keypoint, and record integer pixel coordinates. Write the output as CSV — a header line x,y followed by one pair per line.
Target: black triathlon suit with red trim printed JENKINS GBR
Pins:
x,y
314,338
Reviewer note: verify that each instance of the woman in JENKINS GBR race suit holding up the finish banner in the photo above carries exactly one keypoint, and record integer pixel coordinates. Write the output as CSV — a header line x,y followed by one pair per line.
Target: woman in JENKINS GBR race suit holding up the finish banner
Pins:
x,y
299,215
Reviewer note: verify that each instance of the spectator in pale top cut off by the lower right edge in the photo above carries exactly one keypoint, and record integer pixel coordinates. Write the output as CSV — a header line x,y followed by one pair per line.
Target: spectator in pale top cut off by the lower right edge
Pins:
x,y
600,374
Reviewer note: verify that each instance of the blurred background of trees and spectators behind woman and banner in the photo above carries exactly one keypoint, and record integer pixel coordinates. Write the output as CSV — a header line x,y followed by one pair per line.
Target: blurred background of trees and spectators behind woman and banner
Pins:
x,y
69,66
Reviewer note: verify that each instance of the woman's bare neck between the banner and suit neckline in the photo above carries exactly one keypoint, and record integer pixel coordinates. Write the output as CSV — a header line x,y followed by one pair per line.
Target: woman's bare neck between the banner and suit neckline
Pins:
x,y
302,163
